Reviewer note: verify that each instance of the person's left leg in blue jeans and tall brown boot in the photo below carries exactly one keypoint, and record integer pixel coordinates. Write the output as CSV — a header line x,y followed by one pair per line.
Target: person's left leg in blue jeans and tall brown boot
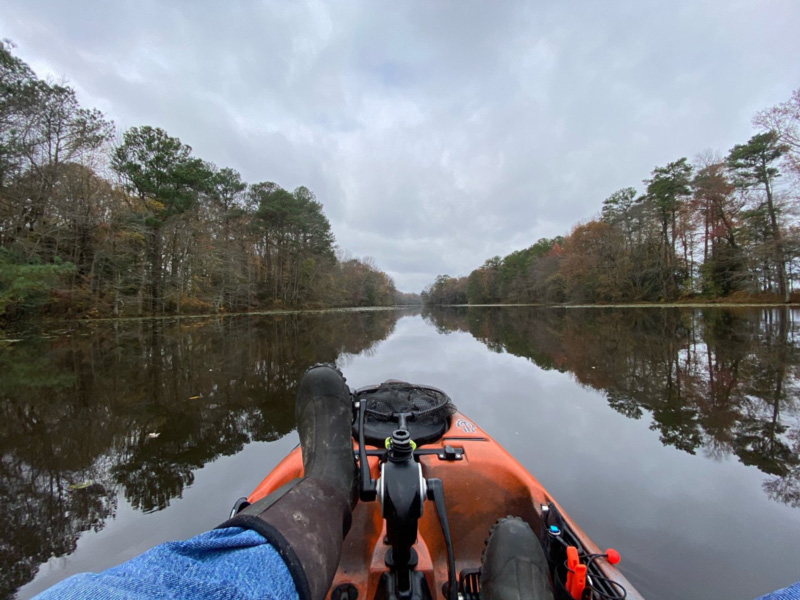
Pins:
x,y
285,545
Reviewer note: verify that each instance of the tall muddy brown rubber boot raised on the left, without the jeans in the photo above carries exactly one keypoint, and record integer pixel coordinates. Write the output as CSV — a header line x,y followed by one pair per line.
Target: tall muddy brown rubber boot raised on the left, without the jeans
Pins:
x,y
307,519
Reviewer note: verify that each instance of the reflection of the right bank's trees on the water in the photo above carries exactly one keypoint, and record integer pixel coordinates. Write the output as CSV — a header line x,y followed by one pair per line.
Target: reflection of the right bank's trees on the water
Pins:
x,y
724,381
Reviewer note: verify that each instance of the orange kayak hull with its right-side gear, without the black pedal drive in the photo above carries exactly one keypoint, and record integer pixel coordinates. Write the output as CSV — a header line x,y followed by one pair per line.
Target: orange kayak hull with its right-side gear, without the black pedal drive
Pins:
x,y
481,482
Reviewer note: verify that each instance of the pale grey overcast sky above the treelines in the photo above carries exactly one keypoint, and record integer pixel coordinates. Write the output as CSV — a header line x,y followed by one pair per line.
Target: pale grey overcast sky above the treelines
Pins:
x,y
436,134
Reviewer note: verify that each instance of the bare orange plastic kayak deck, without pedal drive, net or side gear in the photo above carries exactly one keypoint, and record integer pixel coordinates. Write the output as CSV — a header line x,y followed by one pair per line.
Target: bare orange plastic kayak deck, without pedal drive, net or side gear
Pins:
x,y
482,483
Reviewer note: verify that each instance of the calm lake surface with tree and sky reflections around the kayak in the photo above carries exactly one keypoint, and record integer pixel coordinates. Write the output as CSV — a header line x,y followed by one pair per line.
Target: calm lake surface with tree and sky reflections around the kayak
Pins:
x,y
672,435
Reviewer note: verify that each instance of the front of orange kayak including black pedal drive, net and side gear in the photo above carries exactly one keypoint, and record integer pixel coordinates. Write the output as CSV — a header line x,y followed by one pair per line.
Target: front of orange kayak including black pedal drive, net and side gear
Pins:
x,y
401,542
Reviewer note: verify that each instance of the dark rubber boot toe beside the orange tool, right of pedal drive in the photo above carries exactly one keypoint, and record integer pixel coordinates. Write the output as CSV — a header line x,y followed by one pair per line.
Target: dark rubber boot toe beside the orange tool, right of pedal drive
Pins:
x,y
514,564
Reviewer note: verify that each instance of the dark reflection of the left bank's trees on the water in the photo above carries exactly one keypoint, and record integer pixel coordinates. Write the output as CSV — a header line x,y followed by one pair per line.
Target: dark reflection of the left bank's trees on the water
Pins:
x,y
137,408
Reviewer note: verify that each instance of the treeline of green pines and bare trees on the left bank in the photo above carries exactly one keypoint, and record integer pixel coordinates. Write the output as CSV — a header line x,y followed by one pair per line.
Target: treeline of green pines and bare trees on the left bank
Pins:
x,y
91,228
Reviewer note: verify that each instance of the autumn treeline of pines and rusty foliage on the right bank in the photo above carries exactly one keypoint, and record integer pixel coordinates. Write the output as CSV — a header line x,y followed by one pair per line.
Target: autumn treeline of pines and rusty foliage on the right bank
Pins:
x,y
715,228
